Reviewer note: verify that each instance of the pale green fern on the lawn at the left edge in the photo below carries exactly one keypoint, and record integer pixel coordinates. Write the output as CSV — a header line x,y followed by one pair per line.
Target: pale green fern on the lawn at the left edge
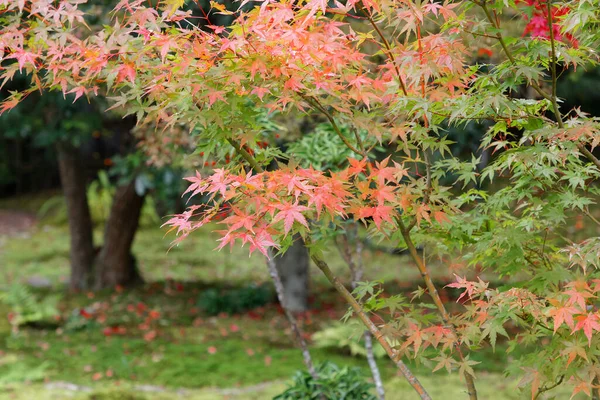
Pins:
x,y
27,309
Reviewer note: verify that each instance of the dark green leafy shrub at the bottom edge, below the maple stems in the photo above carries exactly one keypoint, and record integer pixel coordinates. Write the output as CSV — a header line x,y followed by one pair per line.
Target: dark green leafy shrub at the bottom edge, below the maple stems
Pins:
x,y
333,383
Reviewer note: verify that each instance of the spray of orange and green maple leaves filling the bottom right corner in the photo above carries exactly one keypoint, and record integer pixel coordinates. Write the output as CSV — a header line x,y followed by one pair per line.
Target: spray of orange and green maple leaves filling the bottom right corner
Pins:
x,y
564,320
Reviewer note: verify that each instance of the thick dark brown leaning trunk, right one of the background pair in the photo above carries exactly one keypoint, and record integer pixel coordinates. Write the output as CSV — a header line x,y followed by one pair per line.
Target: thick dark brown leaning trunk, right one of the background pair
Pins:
x,y
115,265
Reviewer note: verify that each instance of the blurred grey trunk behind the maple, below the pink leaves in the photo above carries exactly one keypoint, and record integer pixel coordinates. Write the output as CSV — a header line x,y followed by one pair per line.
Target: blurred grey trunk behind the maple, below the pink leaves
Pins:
x,y
293,270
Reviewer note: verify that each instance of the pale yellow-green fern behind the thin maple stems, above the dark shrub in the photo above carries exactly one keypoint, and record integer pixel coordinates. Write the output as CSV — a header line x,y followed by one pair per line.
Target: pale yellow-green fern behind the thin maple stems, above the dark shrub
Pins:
x,y
348,336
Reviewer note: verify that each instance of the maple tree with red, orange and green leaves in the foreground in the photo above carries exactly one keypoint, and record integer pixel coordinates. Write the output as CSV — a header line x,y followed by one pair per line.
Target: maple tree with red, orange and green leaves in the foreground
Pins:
x,y
398,73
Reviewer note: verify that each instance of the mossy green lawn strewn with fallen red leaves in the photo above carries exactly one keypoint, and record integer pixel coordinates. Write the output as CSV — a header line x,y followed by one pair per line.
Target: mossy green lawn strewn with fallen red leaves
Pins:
x,y
248,356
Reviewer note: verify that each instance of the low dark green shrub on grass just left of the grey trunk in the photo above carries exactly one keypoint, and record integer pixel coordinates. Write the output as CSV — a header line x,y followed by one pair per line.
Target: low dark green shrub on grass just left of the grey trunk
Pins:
x,y
235,301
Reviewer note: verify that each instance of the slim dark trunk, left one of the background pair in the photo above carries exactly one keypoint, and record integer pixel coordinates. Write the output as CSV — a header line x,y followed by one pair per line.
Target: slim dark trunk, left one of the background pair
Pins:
x,y
73,180
